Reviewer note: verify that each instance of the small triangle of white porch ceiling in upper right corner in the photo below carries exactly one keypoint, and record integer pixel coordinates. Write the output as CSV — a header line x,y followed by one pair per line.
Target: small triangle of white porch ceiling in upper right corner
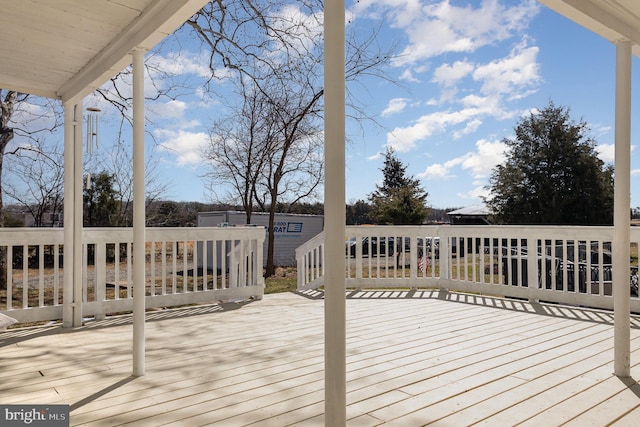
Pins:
x,y
612,19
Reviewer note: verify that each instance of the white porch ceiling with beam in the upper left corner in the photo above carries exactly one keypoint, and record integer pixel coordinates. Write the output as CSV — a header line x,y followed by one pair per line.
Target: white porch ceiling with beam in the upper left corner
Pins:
x,y
65,49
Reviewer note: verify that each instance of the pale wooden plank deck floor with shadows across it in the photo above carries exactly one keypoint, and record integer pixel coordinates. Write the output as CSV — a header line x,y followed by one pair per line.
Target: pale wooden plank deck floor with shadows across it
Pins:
x,y
414,358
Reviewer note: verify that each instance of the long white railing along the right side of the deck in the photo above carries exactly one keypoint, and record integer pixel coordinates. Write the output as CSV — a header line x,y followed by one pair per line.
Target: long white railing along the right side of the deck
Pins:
x,y
568,265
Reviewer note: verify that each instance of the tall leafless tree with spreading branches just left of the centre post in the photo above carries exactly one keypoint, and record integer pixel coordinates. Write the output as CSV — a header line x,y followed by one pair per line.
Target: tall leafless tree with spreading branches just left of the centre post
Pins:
x,y
275,48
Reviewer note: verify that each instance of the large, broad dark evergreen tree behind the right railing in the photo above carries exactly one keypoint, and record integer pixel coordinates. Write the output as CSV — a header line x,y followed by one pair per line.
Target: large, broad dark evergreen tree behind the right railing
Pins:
x,y
552,174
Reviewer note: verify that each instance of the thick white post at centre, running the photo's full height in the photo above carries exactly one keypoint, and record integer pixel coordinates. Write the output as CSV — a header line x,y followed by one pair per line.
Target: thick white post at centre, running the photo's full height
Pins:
x,y
335,394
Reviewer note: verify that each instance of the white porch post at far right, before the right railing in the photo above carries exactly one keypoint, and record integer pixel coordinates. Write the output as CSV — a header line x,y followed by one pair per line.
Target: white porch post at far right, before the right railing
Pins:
x,y
622,205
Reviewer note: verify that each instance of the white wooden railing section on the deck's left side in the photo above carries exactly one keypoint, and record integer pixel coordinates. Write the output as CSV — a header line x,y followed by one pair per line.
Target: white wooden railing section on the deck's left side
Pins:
x,y
183,266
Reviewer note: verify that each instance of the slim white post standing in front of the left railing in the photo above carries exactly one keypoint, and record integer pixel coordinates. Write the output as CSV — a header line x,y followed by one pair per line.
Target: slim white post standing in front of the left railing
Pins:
x,y
139,287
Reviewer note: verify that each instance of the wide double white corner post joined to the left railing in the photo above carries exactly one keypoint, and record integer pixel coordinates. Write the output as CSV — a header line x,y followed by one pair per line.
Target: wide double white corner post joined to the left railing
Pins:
x,y
72,264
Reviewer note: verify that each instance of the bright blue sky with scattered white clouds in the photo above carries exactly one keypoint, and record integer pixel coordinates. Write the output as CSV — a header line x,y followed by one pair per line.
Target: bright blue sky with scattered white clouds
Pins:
x,y
468,70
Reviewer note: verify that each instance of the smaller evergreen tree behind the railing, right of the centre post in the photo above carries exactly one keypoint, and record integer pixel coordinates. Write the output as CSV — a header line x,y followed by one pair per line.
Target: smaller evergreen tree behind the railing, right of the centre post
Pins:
x,y
400,199
